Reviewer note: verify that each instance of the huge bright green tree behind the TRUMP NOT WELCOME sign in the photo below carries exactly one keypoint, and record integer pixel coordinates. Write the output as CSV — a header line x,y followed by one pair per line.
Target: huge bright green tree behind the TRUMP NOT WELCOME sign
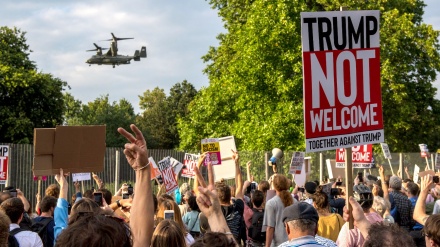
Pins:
x,y
255,90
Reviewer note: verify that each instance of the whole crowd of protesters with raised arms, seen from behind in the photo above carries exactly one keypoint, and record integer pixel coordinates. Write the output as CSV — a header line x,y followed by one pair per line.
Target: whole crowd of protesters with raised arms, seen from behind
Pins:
x,y
387,211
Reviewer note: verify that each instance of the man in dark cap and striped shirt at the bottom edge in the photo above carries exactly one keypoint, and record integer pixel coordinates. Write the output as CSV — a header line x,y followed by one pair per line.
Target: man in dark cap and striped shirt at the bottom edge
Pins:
x,y
301,224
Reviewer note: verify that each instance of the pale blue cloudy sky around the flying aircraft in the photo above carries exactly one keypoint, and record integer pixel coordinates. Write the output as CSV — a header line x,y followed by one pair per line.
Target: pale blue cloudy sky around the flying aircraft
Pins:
x,y
177,34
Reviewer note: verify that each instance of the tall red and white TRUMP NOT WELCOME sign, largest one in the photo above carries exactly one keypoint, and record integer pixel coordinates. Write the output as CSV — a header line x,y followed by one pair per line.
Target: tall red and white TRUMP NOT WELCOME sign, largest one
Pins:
x,y
341,72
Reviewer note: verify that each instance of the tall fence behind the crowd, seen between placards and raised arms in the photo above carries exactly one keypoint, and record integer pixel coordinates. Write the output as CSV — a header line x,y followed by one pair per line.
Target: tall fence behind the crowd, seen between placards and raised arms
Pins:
x,y
21,160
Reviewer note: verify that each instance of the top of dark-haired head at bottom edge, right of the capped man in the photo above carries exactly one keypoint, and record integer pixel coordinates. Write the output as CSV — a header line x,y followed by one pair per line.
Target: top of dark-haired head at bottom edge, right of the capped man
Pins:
x,y
388,235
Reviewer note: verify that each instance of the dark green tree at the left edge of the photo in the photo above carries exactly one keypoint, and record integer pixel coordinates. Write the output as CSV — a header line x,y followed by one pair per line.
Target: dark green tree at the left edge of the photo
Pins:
x,y
28,99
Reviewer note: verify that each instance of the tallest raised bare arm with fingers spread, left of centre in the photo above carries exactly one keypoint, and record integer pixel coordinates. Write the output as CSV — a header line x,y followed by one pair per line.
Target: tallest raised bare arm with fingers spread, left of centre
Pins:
x,y
142,210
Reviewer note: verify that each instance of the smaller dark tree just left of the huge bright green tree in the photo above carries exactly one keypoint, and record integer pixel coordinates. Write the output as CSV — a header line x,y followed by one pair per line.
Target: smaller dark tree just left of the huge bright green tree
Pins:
x,y
160,114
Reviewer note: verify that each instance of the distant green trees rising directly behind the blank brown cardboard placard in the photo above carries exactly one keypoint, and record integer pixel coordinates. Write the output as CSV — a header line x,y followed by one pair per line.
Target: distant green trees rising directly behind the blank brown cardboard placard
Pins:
x,y
101,112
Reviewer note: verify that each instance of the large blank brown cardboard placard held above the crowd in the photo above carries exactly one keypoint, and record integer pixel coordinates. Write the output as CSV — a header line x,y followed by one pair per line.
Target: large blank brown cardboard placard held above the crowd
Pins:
x,y
76,149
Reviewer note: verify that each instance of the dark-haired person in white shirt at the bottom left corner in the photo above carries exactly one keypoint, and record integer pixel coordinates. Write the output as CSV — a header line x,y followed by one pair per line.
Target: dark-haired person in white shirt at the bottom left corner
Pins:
x,y
14,209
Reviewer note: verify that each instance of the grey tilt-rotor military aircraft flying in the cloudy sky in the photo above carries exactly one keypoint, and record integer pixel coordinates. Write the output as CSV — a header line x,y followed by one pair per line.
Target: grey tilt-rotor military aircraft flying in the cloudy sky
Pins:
x,y
112,57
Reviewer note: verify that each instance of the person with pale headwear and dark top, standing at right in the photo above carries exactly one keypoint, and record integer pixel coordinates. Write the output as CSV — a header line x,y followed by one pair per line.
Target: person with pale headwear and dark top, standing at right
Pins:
x,y
401,207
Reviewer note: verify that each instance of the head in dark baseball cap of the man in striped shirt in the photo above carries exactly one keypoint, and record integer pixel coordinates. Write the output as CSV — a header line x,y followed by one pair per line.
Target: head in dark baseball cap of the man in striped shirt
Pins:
x,y
300,219
